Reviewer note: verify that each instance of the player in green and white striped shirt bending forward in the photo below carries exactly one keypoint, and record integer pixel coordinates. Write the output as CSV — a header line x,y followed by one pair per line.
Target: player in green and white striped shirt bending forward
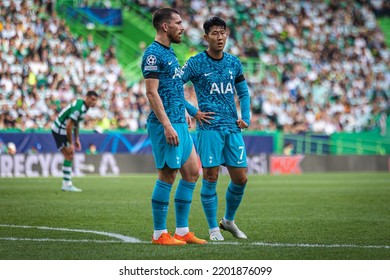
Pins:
x,y
63,128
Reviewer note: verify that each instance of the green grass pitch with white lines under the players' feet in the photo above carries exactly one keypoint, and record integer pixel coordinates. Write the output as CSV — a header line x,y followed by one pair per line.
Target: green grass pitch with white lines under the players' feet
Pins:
x,y
302,217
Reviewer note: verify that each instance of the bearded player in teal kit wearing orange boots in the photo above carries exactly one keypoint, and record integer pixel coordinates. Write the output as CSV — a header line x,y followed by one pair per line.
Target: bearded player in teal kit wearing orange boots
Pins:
x,y
167,126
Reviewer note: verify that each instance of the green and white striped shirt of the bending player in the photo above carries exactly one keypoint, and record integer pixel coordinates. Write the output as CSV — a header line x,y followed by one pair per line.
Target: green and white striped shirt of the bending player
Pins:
x,y
75,111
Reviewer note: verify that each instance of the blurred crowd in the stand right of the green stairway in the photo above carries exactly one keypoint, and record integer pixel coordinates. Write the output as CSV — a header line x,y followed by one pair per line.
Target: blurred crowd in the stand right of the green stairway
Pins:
x,y
332,64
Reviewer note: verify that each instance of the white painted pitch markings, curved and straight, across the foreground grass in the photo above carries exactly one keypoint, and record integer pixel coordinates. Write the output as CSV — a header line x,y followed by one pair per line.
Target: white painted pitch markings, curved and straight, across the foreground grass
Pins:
x,y
128,239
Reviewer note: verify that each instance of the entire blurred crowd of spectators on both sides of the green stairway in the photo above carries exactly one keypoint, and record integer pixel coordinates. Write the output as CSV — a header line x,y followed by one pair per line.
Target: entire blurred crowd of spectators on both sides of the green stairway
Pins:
x,y
323,65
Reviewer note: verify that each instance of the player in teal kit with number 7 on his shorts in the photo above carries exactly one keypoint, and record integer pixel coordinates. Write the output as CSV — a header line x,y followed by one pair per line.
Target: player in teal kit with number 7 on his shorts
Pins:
x,y
216,77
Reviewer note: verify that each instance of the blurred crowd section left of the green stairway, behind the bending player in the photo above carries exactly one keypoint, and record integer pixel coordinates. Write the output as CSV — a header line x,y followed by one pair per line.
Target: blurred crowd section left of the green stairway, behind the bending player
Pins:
x,y
43,67
